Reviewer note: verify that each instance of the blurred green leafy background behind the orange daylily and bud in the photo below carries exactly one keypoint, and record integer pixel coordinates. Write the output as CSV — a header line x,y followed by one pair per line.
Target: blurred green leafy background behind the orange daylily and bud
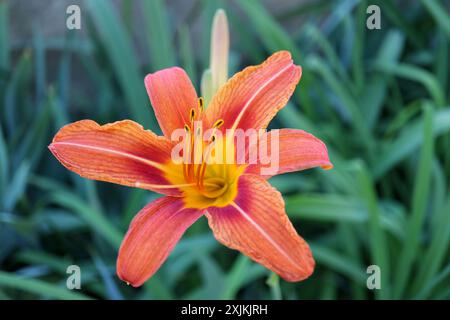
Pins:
x,y
378,98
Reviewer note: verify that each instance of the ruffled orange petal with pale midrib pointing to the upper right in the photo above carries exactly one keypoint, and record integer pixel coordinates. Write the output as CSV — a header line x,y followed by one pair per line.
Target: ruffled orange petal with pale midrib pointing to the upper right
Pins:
x,y
252,97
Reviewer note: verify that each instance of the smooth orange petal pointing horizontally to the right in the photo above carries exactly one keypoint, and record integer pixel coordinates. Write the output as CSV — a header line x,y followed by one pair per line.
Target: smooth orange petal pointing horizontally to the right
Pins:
x,y
297,150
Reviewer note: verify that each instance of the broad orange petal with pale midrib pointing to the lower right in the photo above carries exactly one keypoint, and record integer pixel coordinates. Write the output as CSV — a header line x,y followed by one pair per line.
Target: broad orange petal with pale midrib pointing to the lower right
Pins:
x,y
257,225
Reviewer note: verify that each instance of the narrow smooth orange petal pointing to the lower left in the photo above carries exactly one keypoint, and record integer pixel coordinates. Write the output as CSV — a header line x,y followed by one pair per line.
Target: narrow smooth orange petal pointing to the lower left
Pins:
x,y
152,235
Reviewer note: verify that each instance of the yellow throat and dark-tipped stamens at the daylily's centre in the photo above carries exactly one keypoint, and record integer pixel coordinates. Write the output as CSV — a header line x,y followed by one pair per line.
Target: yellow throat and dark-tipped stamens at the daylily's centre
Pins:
x,y
206,177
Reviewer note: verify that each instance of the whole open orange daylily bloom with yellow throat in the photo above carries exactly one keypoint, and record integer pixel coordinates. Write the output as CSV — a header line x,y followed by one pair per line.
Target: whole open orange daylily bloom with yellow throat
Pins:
x,y
243,210
